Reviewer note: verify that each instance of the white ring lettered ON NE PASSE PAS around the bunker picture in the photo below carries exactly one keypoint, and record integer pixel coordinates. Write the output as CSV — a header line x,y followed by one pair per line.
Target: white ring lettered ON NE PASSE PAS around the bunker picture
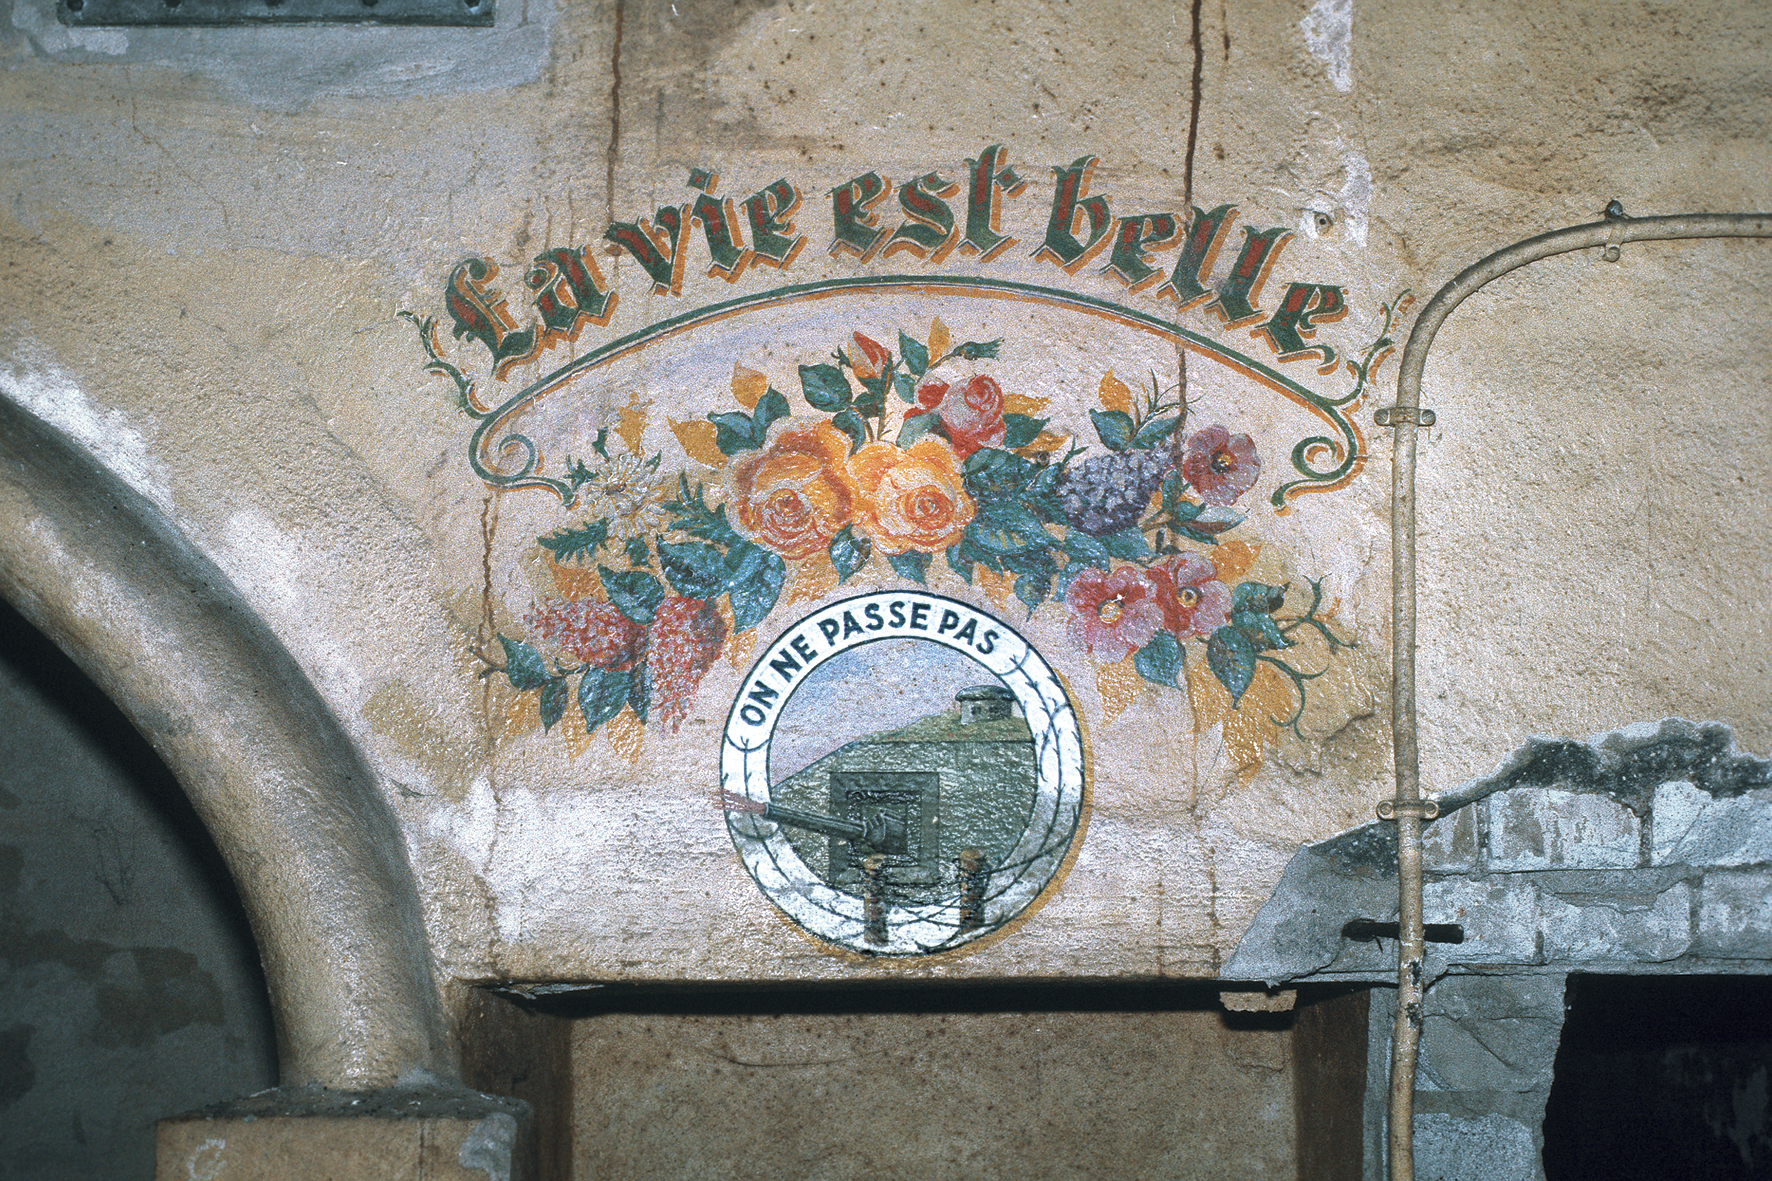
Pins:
x,y
915,930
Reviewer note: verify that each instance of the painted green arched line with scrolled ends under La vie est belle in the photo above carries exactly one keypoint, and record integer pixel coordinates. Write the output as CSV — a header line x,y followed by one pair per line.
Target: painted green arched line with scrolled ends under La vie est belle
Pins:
x,y
1346,448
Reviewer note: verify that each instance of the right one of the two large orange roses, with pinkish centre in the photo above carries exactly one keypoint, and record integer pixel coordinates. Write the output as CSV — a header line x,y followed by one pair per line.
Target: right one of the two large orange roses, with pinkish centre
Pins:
x,y
912,499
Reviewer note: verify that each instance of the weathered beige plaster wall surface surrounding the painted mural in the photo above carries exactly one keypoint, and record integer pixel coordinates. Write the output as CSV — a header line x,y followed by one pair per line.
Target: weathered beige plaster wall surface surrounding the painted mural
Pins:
x,y
206,263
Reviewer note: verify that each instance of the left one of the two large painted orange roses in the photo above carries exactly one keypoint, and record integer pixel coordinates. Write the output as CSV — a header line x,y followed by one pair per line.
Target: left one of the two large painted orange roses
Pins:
x,y
795,496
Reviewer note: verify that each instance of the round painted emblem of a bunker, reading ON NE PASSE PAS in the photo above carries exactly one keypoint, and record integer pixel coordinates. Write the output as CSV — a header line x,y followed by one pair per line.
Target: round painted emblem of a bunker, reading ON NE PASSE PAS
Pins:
x,y
903,774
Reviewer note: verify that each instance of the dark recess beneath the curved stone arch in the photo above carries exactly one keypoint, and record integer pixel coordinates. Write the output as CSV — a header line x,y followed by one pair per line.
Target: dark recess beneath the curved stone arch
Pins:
x,y
130,985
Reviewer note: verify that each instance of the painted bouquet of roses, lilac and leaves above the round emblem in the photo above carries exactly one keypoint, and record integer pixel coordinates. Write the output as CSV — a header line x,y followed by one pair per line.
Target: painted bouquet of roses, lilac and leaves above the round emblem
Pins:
x,y
908,458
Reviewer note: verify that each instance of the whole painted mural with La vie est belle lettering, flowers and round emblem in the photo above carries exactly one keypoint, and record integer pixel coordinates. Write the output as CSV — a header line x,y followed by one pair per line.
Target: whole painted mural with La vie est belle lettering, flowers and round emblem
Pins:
x,y
1091,426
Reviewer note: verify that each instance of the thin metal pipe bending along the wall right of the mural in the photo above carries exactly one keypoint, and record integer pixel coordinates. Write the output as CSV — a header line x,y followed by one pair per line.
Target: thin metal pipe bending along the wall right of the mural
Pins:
x,y
1408,808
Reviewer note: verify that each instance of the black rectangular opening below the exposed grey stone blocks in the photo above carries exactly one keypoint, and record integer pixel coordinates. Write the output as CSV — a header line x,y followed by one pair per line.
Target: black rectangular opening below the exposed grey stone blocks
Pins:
x,y
1663,1077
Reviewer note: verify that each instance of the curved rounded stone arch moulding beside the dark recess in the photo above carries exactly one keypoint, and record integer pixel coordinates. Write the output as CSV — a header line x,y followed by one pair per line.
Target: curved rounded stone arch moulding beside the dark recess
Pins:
x,y
288,797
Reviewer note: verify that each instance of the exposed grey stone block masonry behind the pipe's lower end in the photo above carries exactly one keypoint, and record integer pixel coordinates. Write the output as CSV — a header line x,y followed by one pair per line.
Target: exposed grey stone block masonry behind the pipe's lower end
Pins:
x,y
1647,850
